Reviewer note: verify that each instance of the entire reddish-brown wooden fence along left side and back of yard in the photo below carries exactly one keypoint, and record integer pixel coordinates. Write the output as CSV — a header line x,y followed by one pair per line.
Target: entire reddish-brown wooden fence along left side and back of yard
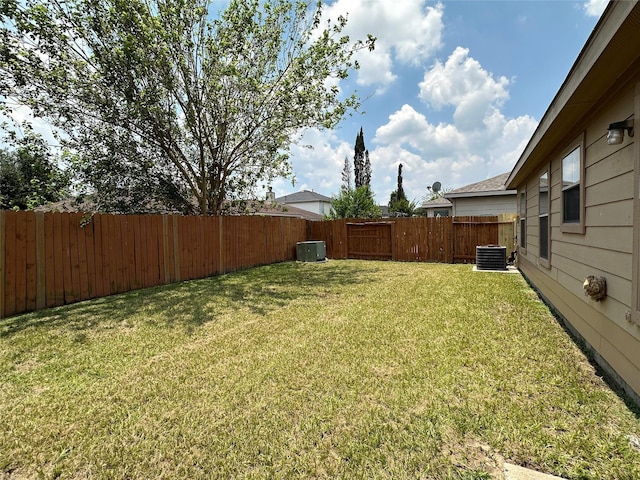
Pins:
x,y
51,259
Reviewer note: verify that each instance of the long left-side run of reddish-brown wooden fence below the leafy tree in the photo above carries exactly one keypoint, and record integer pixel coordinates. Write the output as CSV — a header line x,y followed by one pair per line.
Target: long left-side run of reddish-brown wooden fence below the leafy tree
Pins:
x,y
51,259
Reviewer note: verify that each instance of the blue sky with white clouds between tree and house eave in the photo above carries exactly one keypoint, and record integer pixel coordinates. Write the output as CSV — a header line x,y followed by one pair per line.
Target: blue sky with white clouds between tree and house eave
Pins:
x,y
454,89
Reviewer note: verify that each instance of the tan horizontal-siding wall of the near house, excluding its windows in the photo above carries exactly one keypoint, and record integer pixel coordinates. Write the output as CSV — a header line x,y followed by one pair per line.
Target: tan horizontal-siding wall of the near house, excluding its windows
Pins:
x,y
605,247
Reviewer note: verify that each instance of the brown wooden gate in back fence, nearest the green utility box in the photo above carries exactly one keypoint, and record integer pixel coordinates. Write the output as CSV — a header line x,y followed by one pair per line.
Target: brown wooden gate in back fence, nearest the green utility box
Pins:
x,y
370,241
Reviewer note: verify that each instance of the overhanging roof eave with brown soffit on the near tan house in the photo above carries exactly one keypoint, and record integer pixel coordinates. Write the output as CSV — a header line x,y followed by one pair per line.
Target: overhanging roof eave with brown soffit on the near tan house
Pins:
x,y
610,57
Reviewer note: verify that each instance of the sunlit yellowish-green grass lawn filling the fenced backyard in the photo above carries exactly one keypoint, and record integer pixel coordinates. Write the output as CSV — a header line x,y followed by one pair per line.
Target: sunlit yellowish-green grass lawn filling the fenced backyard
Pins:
x,y
343,369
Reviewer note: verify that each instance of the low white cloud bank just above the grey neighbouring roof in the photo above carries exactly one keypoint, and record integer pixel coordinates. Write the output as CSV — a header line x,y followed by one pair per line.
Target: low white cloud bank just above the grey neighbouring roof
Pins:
x,y
444,152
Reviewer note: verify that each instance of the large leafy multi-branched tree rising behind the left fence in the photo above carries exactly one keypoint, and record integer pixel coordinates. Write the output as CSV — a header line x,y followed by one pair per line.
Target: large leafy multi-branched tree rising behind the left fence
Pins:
x,y
170,102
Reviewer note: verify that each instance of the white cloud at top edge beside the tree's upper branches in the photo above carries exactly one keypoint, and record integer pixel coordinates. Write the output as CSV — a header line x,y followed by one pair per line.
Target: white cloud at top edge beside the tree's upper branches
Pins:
x,y
407,31
